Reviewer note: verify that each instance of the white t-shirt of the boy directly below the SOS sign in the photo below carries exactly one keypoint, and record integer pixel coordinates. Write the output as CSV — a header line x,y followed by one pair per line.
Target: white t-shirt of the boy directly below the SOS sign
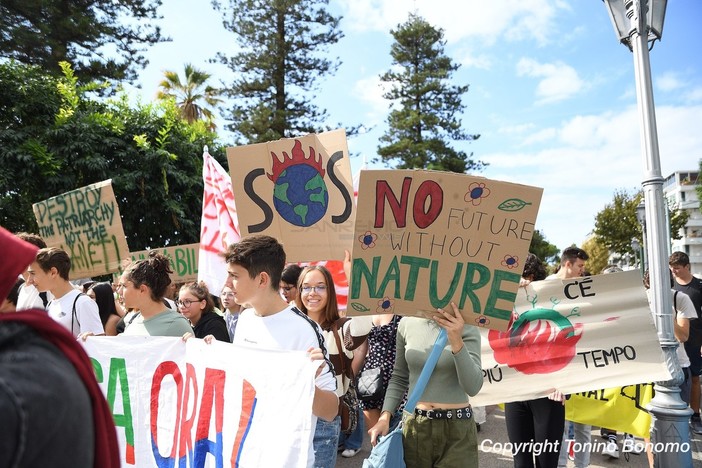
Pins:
x,y
287,330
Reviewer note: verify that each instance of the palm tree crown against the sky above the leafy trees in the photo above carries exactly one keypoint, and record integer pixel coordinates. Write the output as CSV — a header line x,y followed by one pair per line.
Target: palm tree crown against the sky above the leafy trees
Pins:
x,y
190,93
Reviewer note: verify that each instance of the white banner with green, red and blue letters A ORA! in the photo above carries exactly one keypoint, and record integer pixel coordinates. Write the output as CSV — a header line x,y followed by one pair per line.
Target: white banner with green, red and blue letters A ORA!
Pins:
x,y
197,405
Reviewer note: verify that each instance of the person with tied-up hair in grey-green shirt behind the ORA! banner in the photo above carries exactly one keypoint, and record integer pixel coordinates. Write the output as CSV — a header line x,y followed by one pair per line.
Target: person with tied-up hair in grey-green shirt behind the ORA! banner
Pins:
x,y
142,286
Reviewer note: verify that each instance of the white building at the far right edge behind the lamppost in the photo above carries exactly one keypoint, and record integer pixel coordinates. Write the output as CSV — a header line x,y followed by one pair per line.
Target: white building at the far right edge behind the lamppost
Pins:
x,y
680,189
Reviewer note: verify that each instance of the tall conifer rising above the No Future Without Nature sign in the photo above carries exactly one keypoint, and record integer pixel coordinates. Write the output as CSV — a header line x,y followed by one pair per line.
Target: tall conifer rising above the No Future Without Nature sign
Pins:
x,y
427,119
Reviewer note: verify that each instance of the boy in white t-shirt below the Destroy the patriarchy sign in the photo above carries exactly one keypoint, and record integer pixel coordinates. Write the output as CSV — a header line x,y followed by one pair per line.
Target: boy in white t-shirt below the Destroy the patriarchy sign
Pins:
x,y
72,309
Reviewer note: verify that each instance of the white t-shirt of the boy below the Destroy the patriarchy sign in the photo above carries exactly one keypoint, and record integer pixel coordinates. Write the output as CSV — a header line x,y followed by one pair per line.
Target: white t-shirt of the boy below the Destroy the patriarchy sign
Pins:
x,y
87,316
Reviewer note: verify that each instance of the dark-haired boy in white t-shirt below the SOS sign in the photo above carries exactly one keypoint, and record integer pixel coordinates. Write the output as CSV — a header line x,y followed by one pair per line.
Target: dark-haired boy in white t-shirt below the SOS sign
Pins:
x,y
254,267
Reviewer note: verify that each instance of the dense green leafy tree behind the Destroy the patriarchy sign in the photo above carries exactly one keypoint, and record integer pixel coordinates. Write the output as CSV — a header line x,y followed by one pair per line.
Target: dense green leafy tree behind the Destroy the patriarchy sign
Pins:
x,y
152,156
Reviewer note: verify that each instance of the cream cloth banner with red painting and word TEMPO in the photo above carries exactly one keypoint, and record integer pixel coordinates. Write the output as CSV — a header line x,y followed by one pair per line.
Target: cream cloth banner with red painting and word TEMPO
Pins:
x,y
577,335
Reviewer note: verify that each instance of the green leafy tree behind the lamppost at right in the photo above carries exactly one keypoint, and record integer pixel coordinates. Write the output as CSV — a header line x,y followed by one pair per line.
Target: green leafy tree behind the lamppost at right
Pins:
x,y
616,225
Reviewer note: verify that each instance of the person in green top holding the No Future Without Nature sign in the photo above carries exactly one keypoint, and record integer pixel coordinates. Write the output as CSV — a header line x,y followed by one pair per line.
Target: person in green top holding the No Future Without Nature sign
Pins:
x,y
441,431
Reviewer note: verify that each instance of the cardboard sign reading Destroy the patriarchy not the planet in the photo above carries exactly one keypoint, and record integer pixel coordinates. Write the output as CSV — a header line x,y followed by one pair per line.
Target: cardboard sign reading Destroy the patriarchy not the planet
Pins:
x,y
85,223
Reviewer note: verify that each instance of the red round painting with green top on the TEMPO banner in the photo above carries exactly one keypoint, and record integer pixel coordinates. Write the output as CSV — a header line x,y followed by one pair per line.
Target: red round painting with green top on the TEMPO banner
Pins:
x,y
538,341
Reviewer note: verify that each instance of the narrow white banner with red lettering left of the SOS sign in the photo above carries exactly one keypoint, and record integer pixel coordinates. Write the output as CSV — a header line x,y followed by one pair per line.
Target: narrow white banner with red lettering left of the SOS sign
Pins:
x,y
219,224
